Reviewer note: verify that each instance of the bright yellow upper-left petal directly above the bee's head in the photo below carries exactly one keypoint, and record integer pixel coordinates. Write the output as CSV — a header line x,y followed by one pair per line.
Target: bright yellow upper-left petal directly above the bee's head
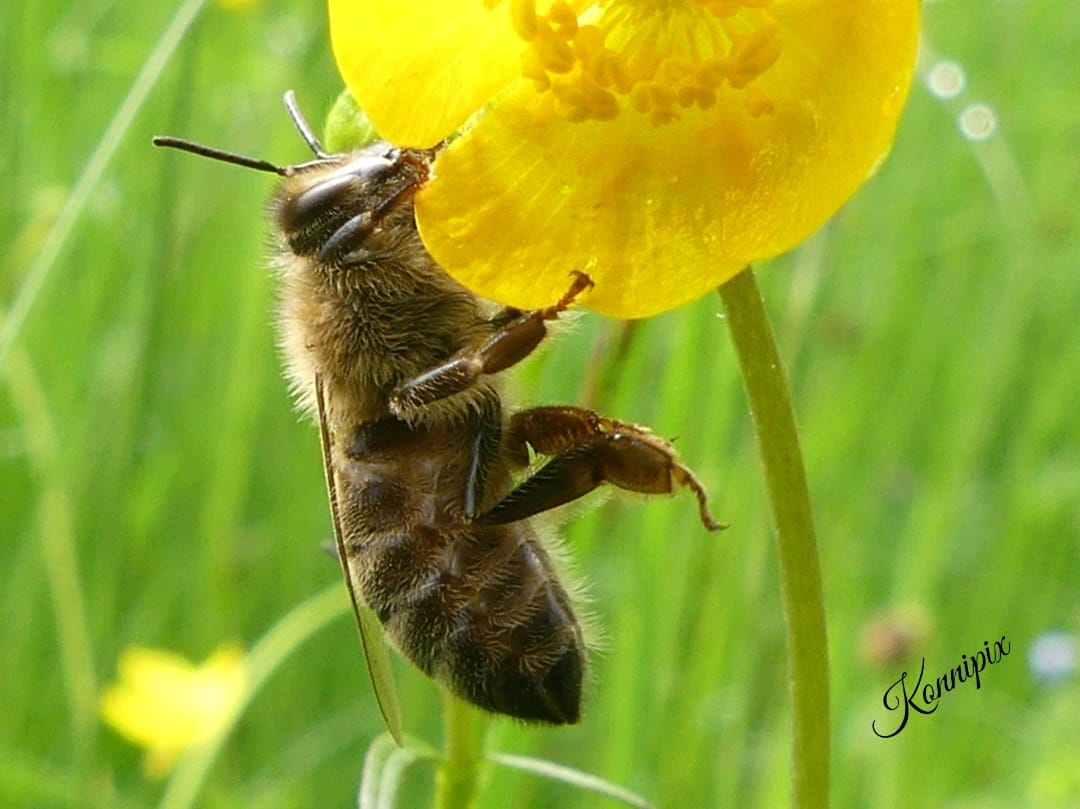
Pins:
x,y
421,70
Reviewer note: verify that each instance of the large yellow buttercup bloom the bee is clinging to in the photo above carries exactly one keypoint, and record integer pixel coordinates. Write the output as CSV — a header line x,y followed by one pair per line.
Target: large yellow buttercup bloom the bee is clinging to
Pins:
x,y
658,145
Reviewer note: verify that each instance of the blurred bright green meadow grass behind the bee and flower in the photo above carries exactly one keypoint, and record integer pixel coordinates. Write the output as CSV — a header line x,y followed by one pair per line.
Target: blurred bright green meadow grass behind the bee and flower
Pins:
x,y
157,489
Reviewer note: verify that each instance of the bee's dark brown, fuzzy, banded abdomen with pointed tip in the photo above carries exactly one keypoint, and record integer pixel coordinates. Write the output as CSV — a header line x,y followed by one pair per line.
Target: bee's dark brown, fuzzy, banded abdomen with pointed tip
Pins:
x,y
478,608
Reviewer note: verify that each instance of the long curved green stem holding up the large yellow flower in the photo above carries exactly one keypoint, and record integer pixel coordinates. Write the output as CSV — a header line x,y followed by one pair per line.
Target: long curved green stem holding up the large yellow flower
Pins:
x,y
798,548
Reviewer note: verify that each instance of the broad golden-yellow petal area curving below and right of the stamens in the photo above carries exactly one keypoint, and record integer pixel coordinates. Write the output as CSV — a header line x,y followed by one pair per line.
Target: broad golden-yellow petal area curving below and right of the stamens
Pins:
x,y
660,214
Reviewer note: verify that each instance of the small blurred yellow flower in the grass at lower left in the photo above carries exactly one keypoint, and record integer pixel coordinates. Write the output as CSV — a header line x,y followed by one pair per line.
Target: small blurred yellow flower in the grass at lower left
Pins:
x,y
167,705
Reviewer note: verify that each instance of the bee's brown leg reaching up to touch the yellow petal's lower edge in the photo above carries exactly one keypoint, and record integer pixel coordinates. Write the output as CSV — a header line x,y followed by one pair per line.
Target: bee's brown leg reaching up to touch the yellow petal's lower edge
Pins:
x,y
507,347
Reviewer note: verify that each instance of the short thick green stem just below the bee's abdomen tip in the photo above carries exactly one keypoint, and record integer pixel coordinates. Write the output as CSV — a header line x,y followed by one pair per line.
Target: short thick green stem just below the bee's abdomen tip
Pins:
x,y
460,773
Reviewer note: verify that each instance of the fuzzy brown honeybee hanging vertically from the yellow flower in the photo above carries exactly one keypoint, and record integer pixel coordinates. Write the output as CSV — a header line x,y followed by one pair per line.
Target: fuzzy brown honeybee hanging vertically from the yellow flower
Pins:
x,y
429,475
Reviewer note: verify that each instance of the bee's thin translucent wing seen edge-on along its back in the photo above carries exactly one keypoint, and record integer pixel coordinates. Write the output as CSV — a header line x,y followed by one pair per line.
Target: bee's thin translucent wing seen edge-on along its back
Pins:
x,y
371,630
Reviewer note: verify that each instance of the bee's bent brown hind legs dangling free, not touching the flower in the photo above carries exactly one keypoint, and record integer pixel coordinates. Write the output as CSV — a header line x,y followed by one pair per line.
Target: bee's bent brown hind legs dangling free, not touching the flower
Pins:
x,y
588,450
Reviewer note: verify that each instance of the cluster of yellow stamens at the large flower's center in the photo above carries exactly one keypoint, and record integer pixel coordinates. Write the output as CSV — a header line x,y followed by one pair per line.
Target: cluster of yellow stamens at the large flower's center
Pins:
x,y
591,60
